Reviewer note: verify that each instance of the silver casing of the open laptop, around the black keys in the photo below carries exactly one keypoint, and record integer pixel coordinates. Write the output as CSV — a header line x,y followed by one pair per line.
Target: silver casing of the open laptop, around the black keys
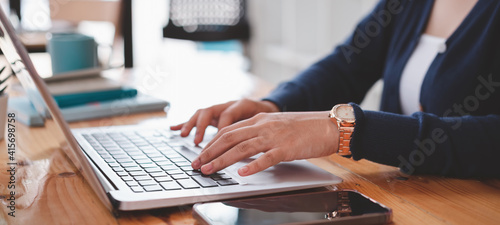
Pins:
x,y
112,190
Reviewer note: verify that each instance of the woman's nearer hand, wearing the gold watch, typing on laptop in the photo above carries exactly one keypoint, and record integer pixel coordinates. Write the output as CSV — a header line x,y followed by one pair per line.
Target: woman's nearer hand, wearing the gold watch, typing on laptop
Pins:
x,y
281,136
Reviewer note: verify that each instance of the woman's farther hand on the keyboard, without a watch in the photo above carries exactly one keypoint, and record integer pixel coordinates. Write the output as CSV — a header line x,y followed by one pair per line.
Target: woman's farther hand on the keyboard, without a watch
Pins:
x,y
223,115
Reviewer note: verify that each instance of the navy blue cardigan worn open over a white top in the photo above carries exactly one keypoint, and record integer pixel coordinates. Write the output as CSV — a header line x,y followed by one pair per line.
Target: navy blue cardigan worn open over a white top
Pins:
x,y
458,132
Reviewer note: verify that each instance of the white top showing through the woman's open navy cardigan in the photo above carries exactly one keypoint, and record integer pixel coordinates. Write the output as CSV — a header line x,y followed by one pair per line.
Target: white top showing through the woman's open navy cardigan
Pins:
x,y
414,72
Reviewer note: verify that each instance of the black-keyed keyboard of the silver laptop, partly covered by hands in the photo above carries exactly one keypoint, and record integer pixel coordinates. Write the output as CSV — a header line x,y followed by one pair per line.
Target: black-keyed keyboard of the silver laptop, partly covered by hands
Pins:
x,y
149,161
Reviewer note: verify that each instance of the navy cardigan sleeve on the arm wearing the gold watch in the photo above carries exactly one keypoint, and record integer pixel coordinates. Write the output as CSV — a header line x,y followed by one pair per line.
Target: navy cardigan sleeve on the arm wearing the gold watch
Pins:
x,y
423,143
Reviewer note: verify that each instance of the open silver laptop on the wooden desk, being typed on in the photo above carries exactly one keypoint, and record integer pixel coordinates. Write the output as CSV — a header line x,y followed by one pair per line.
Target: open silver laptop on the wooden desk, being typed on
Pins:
x,y
137,167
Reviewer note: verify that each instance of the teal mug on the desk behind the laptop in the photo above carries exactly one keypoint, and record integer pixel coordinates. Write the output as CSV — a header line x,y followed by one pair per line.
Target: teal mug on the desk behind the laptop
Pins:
x,y
71,51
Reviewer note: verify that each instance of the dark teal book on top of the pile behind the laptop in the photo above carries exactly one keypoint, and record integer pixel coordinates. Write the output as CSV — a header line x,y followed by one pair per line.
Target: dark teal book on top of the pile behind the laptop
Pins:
x,y
99,96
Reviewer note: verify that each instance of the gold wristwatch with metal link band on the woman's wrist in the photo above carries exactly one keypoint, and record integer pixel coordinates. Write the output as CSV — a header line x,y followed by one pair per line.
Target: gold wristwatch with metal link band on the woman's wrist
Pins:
x,y
343,116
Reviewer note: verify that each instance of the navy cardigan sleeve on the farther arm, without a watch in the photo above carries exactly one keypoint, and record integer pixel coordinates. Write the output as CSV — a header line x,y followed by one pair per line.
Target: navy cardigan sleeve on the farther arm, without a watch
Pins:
x,y
348,72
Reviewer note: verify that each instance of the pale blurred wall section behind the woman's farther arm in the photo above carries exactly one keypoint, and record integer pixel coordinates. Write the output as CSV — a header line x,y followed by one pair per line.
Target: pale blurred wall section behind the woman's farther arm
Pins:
x,y
289,35
